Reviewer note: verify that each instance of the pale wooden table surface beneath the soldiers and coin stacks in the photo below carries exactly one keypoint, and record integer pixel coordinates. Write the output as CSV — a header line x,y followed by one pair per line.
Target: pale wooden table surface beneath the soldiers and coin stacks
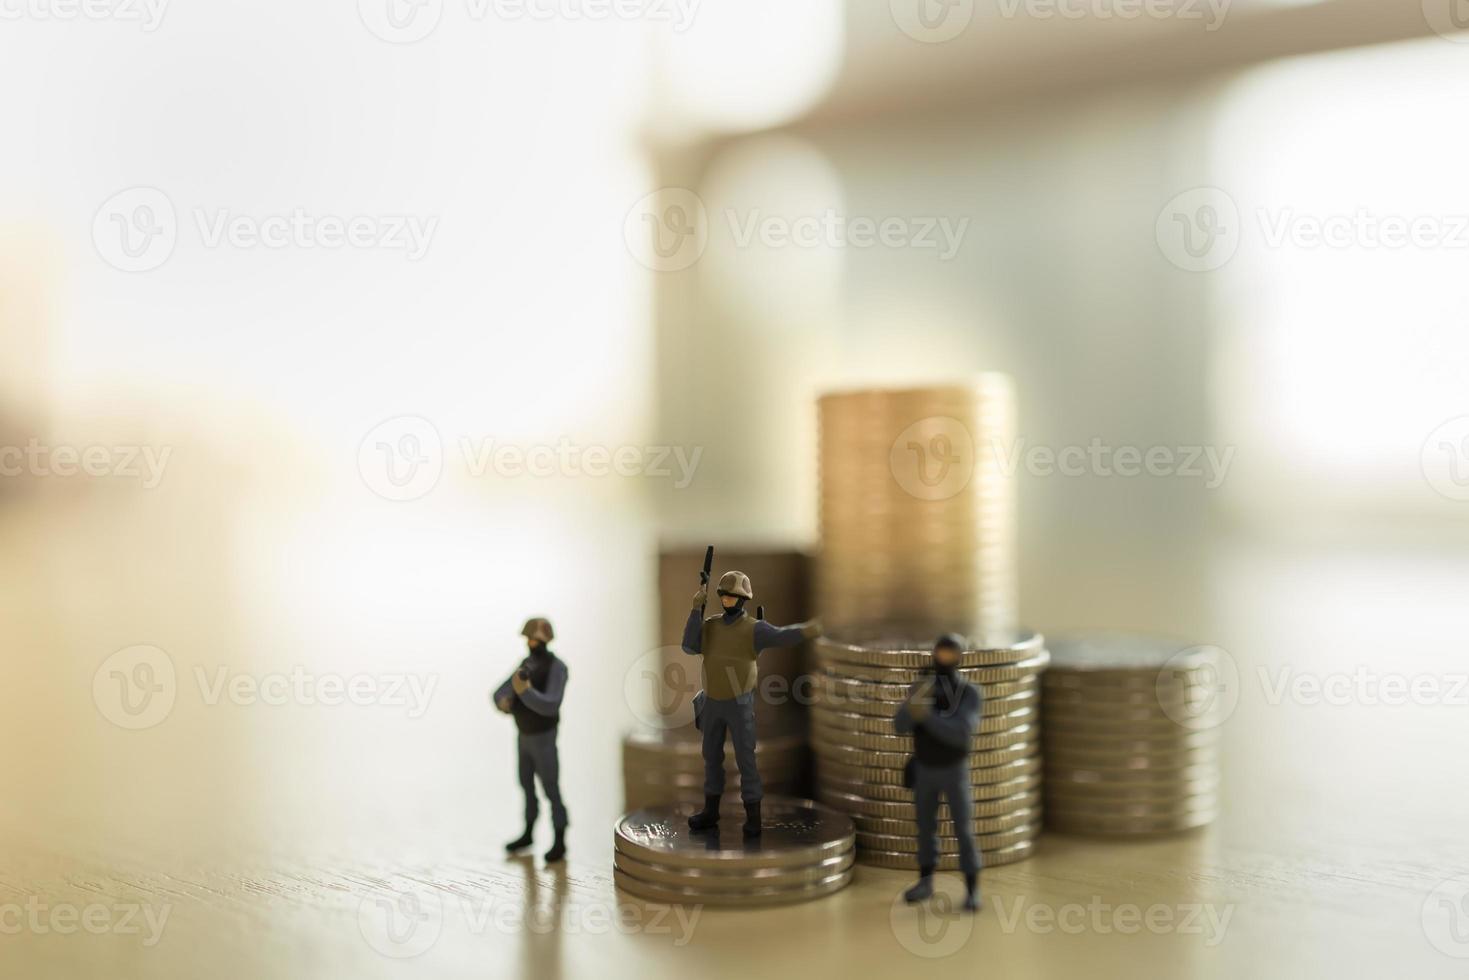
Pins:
x,y
255,840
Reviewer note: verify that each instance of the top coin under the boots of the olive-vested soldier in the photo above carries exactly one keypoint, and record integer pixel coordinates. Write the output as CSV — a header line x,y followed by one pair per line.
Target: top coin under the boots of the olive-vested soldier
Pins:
x,y
794,834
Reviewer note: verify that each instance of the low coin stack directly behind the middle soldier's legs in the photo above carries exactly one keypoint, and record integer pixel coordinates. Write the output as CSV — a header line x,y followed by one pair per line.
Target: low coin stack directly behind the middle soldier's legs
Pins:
x,y
665,768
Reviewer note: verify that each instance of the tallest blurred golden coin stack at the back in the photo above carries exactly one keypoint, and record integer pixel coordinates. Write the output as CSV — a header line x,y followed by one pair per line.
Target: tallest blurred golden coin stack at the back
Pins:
x,y
917,511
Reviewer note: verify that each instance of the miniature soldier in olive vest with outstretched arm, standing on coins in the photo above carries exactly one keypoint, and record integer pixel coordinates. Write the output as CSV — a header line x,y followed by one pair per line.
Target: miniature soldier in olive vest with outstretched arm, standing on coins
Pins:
x,y
731,643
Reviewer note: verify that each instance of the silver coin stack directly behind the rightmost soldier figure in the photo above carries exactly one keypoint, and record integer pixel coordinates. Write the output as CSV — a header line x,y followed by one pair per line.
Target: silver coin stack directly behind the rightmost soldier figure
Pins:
x,y
860,757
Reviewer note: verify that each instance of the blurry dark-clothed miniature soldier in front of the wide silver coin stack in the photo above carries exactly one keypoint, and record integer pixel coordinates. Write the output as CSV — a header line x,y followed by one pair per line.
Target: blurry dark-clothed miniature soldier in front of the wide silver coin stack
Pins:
x,y
942,713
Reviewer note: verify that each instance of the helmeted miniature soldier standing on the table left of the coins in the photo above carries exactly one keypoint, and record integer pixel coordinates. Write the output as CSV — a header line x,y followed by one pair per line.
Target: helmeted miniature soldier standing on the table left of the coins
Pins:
x,y
533,696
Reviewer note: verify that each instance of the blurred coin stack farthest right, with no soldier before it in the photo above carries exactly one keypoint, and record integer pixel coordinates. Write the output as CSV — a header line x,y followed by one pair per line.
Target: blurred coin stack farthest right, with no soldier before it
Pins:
x,y
1132,737
